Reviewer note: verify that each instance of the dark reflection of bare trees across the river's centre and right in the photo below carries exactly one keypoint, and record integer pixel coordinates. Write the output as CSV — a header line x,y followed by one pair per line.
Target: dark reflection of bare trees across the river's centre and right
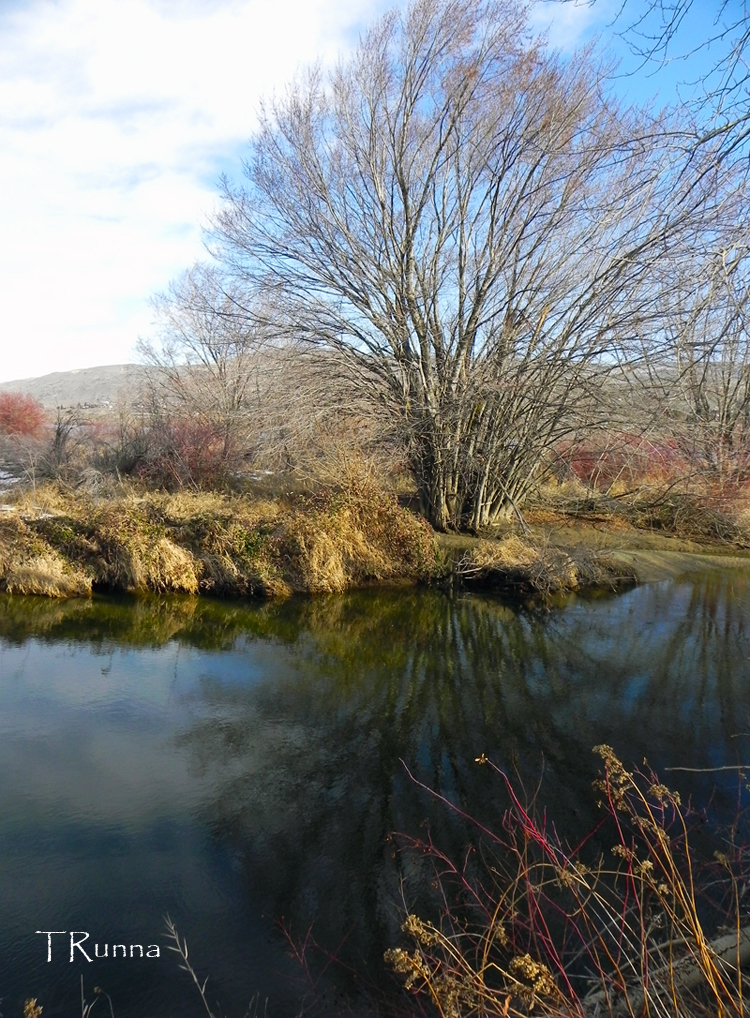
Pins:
x,y
312,780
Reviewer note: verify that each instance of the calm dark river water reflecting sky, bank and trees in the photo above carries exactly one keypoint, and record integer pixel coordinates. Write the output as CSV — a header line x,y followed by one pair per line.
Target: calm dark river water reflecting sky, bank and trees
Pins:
x,y
239,767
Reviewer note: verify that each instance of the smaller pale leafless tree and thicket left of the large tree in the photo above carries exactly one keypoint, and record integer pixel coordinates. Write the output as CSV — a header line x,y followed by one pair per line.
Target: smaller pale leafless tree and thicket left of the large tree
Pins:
x,y
229,397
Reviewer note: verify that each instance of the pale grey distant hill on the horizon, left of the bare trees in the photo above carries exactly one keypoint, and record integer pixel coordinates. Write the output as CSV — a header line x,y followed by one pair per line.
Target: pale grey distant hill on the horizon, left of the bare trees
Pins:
x,y
88,387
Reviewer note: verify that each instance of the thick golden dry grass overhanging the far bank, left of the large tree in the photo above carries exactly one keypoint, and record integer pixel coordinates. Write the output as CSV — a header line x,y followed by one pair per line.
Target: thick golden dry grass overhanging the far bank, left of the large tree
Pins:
x,y
64,543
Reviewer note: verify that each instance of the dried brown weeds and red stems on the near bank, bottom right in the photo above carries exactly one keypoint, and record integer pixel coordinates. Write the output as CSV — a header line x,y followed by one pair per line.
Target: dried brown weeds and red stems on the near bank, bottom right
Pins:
x,y
651,927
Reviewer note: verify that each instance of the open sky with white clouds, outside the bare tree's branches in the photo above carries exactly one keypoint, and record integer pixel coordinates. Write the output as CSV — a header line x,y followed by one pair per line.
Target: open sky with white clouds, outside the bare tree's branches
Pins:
x,y
118,119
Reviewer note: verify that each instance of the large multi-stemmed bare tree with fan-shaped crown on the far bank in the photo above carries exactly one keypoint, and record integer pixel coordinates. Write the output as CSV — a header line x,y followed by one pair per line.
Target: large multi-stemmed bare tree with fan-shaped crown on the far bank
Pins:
x,y
471,222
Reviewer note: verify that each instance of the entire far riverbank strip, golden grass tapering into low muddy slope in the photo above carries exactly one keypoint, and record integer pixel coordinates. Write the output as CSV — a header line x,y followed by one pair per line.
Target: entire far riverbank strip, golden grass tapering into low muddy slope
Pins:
x,y
60,543
